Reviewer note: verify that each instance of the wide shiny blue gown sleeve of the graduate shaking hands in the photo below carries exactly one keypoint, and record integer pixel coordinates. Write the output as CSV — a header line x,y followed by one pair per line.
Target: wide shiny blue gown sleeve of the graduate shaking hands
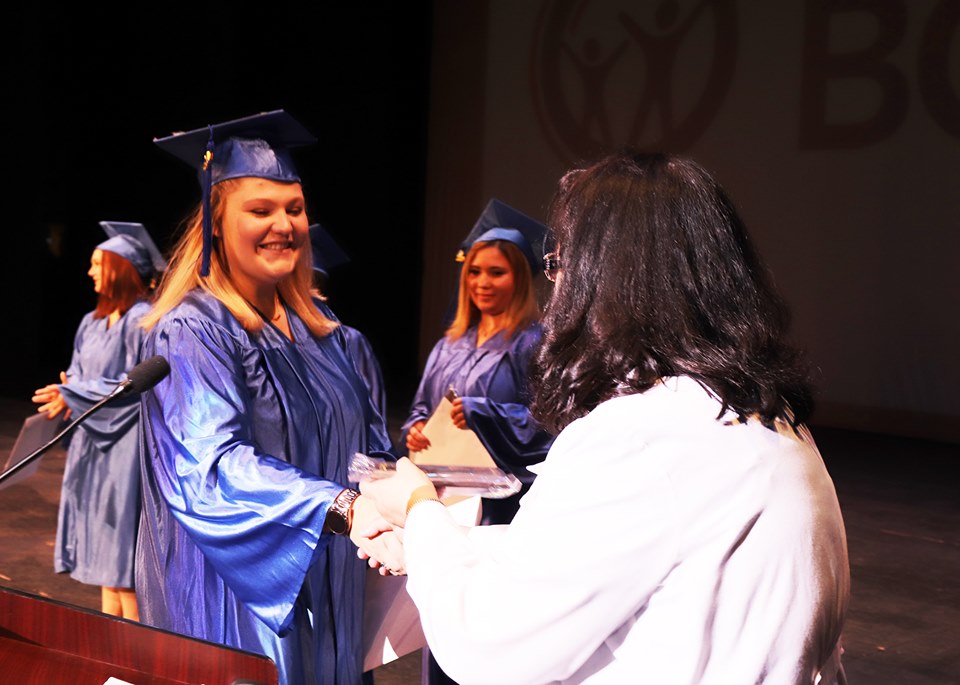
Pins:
x,y
257,519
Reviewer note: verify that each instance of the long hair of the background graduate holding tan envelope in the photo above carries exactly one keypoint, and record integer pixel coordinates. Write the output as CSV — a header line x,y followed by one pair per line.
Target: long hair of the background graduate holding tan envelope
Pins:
x,y
522,309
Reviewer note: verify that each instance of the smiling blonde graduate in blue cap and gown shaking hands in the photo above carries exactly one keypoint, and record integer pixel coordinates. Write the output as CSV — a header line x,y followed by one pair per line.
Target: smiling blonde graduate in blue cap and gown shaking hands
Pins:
x,y
248,515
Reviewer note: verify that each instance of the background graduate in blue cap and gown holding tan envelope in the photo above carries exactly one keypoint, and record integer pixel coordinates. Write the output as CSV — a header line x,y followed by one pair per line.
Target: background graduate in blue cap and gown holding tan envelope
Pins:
x,y
485,357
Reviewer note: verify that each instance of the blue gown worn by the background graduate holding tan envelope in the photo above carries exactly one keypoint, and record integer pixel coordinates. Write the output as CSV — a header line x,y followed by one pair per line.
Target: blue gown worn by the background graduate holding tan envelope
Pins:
x,y
492,380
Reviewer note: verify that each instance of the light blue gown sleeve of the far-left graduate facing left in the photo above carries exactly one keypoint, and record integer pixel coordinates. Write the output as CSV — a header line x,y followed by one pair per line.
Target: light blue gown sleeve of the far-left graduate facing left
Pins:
x,y
103,427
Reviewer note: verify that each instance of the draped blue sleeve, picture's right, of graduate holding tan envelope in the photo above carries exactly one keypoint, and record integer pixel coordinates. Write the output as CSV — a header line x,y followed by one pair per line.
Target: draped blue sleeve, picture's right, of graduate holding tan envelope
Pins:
x,y
507,429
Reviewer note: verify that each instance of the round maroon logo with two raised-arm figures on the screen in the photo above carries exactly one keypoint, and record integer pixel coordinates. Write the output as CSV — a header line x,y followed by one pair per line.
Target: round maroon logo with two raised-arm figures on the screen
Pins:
x,y
607,73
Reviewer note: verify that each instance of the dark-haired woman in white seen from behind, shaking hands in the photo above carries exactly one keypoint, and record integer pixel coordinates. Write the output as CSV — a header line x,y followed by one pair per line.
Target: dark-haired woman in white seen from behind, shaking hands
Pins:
x,y
683,527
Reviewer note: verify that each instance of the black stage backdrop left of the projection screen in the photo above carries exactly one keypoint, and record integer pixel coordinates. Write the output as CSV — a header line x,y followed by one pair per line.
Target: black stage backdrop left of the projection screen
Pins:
x,y
88,89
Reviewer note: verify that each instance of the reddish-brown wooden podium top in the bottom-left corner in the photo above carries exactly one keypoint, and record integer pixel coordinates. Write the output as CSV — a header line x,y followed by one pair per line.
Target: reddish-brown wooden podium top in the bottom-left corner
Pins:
x,y
43,641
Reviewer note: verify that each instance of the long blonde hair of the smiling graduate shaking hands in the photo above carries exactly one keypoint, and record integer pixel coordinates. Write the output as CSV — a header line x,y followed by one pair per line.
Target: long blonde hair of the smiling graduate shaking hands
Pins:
x,y
183,275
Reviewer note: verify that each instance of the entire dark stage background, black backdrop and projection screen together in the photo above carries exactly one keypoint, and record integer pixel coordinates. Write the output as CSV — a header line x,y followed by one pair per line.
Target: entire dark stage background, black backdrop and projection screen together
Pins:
x,y
834,126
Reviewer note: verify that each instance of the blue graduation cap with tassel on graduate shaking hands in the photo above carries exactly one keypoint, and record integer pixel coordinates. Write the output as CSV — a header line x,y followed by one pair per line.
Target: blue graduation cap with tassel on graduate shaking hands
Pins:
x,y
257,145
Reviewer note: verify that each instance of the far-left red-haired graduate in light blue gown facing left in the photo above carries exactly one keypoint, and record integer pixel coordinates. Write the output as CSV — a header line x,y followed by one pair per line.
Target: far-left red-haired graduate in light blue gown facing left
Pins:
x,y
100,496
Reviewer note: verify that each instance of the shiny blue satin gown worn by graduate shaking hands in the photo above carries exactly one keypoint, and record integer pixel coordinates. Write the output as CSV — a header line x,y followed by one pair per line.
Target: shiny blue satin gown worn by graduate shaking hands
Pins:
x,y
245,445
